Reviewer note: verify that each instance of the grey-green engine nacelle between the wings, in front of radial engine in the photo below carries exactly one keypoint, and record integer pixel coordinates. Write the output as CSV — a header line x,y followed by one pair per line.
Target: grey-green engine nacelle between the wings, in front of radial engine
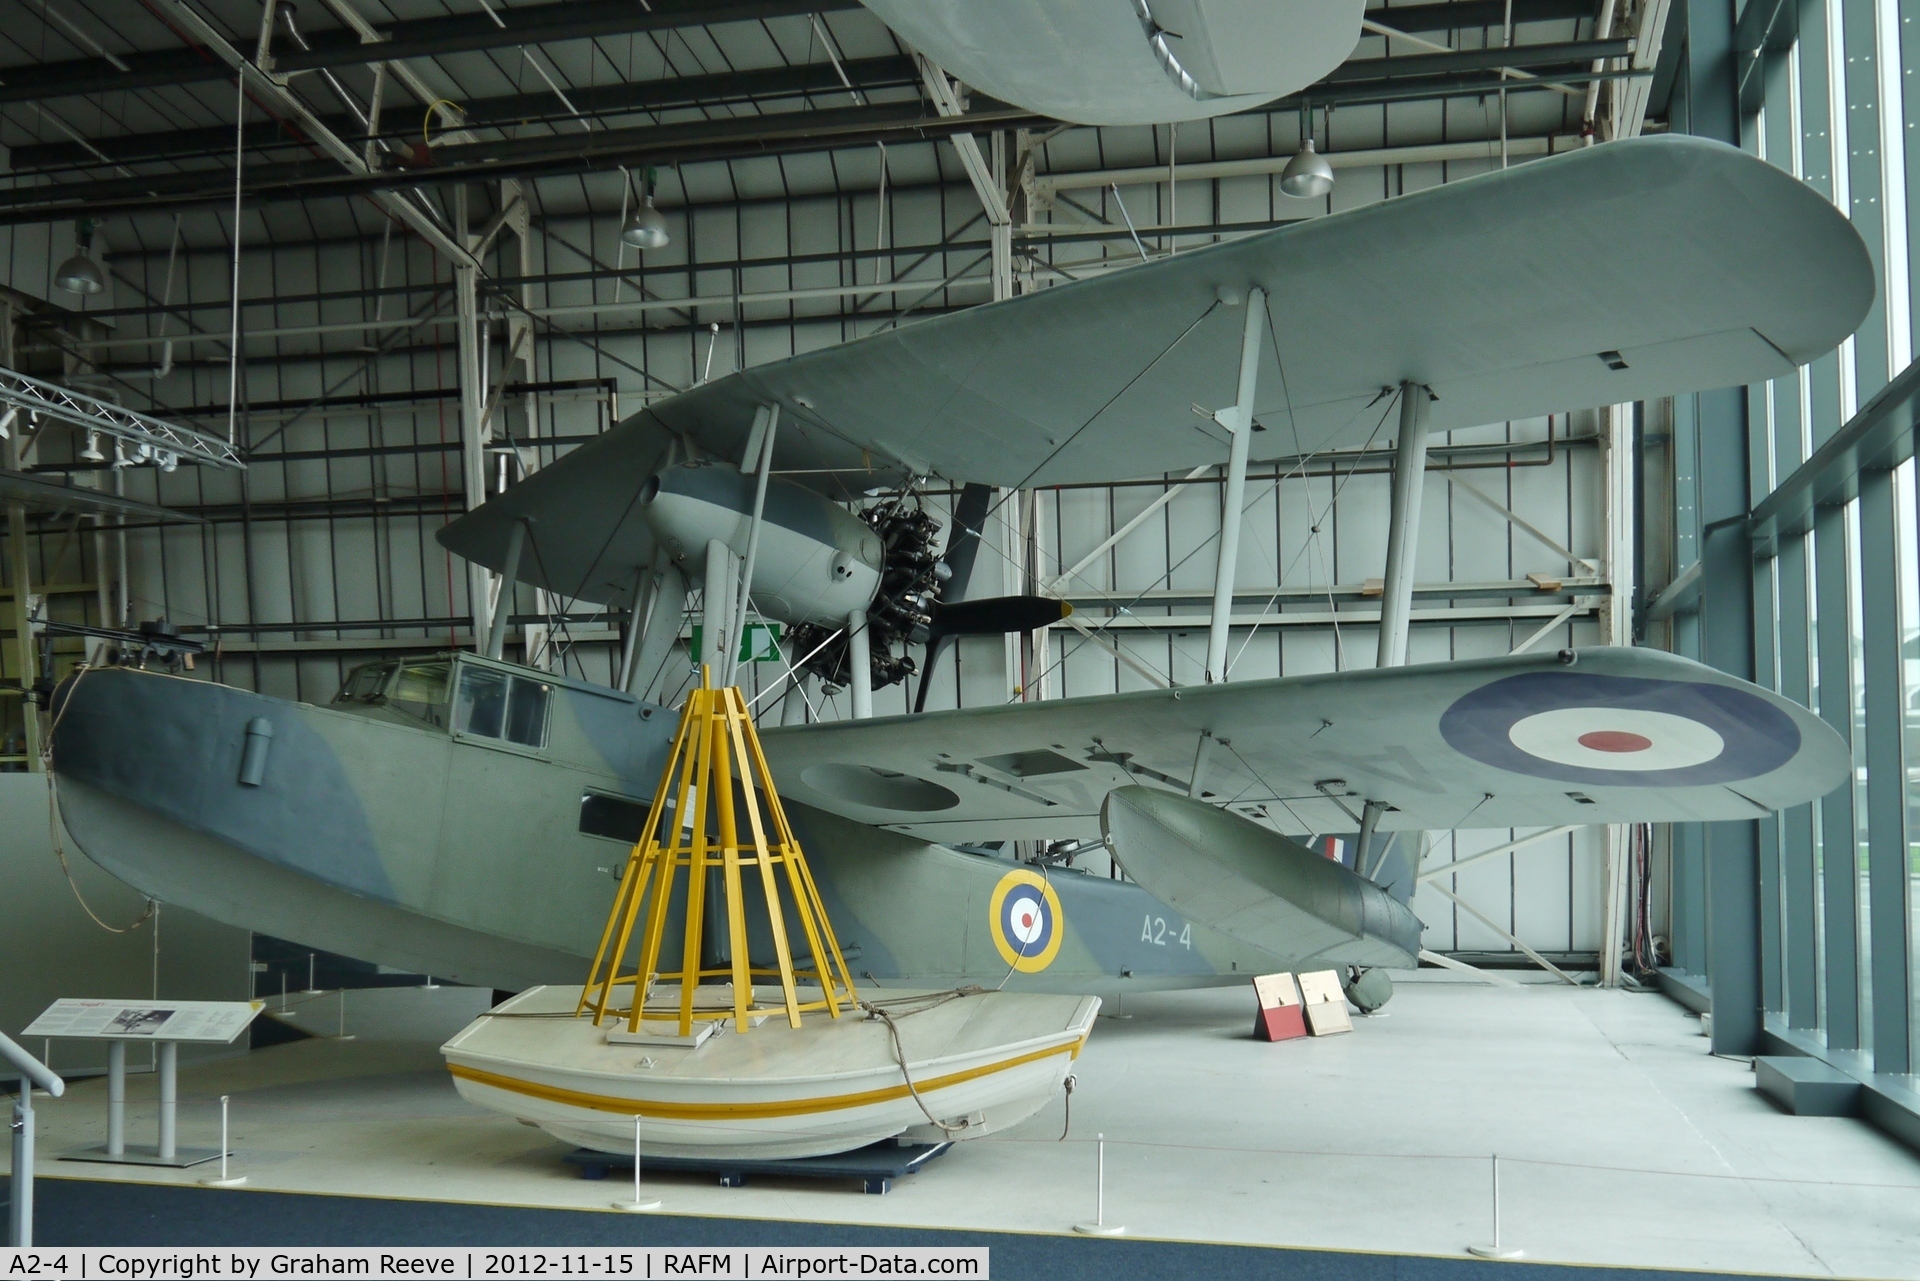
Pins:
x,y
817,562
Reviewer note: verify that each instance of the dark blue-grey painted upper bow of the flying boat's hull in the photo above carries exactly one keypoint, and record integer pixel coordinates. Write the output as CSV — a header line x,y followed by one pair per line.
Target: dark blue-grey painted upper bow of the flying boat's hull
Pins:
x,y
245,769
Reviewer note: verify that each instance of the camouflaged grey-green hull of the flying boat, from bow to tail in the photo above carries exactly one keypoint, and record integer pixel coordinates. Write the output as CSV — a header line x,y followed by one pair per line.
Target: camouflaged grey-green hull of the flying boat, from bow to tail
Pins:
x,y
429,850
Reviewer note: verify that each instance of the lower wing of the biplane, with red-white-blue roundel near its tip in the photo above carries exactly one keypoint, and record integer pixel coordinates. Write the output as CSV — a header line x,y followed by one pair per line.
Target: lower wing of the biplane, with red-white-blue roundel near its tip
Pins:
x,y
1614,737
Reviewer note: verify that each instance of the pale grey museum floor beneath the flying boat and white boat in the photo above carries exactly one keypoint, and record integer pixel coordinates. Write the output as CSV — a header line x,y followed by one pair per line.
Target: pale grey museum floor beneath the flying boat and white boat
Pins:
x,y
1621,1140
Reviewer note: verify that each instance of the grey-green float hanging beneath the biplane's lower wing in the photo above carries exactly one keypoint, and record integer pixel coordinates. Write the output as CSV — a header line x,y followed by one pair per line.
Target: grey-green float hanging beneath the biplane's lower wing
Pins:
x,y
1251,884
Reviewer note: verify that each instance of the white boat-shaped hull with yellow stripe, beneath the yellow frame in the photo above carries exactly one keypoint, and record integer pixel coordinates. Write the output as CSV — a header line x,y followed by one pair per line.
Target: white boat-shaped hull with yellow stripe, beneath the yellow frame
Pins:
x,y
974,1065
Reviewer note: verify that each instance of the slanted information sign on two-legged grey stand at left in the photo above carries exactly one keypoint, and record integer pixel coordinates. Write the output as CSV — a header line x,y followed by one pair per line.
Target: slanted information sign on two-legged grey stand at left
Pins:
x,y
164,1025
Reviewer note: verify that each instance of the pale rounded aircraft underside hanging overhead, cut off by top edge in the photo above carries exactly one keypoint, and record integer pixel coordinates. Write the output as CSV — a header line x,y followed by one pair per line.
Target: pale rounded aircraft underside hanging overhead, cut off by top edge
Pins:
x,y
1095,62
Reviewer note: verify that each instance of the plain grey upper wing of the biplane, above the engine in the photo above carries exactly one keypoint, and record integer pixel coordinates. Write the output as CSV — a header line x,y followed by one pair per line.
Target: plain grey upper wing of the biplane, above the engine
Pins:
x,y
1616,274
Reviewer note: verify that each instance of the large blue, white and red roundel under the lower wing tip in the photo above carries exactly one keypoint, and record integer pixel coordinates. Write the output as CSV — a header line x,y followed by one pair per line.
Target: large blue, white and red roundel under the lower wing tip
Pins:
x,y
1621,731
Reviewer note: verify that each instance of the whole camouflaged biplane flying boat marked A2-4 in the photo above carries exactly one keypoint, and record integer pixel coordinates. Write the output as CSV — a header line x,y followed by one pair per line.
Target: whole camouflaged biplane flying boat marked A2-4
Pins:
x,y
468,817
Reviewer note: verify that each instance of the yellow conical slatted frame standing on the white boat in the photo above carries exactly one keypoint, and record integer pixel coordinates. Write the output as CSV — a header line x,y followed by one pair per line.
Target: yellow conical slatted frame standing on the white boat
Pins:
x,y
715,740
